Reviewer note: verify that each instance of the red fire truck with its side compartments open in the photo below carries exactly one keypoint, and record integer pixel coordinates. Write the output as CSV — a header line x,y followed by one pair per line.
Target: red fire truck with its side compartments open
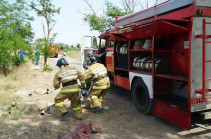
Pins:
x,y
163,56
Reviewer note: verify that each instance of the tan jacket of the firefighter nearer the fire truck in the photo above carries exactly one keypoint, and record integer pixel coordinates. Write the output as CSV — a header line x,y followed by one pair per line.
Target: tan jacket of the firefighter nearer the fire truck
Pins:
x,y
98,73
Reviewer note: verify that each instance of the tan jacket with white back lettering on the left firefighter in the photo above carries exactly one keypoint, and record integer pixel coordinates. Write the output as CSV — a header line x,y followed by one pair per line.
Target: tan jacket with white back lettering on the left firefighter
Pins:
x,y
67,76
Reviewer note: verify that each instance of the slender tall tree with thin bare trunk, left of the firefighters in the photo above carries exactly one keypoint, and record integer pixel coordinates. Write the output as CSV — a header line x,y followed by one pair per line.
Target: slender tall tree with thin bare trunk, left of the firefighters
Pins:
x,y
45,9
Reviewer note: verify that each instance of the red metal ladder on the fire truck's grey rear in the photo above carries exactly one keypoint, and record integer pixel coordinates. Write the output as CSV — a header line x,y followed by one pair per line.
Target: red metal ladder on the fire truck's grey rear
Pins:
x,y
204,61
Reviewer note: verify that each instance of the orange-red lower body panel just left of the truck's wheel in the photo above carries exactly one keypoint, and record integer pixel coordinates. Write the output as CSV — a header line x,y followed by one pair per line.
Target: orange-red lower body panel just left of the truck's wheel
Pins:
x,y
122,82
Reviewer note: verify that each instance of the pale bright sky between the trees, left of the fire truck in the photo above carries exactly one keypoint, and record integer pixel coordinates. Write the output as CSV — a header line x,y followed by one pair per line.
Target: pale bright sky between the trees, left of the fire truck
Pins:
x,y
70,25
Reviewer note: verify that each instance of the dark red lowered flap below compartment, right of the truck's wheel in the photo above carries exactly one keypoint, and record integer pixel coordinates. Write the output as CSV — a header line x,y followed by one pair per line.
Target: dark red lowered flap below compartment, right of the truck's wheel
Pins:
x,y
172,114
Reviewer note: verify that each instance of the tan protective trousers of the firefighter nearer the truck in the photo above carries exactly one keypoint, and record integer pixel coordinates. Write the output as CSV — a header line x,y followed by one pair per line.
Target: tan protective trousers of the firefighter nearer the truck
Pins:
x,y
97,97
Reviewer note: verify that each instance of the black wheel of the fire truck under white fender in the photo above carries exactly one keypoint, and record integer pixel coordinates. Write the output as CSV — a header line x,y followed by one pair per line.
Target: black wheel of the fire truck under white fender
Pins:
x,y
141,97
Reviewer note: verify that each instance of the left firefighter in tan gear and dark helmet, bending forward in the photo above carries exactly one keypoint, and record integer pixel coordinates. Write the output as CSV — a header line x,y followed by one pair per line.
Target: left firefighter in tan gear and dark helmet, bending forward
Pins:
x,y
67,76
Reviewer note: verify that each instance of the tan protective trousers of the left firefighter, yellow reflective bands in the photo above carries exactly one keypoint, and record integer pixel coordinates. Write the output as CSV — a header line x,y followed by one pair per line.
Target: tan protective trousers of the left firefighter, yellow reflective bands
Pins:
x,y
75,103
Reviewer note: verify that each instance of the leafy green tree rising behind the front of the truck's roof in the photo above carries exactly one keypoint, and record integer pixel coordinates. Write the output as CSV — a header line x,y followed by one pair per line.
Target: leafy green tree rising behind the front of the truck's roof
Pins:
x,y
103,22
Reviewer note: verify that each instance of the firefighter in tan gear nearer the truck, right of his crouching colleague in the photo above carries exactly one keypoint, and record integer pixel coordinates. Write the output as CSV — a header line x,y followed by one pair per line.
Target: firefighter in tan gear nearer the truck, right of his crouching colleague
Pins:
x,y
101,84
